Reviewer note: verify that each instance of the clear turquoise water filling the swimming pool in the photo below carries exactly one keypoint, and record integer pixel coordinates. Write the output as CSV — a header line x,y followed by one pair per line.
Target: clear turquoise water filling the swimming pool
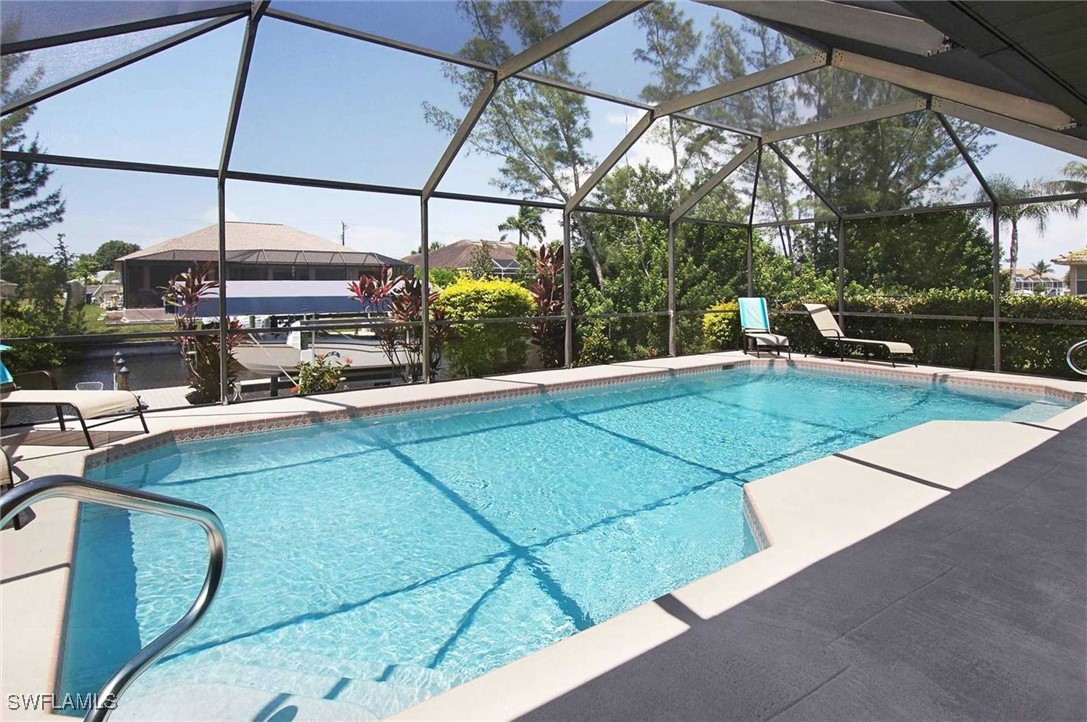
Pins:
x,y
378,563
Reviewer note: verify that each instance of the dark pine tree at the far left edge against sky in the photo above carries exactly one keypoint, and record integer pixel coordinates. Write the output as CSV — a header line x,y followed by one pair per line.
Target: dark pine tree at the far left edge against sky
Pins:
x,y
21,209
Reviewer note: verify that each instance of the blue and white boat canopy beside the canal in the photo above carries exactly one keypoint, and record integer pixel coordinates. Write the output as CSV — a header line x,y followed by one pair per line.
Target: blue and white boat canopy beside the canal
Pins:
x,y
286,298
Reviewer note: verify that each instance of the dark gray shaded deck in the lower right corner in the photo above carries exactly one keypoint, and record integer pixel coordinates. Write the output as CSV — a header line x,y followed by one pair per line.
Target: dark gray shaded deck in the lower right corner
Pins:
x,y
973,608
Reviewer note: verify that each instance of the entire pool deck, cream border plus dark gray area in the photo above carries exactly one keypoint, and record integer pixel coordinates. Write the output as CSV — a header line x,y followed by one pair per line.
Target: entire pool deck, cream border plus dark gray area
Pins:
x,y
938,572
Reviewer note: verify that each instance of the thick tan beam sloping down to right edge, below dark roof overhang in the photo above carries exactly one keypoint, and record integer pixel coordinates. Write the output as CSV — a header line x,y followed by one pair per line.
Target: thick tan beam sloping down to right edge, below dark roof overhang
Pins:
x,y
930,84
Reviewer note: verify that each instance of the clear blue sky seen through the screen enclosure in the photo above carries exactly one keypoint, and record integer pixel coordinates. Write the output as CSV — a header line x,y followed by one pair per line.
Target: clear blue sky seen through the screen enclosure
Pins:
x,y
329,107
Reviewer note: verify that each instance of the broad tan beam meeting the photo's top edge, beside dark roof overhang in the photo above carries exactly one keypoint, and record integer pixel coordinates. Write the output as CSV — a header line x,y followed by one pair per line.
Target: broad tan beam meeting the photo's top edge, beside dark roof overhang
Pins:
x,y
873,27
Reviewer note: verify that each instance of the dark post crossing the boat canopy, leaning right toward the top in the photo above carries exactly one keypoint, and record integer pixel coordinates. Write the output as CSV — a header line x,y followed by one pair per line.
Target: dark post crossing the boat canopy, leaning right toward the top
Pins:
x,y
224,164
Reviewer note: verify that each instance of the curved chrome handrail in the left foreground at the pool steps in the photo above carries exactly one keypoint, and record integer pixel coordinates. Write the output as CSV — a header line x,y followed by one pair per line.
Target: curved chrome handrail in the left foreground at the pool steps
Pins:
x,y
82,490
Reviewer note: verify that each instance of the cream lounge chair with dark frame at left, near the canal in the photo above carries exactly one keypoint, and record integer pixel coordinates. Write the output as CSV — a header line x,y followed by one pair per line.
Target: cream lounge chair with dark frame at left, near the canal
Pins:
x,y
114,406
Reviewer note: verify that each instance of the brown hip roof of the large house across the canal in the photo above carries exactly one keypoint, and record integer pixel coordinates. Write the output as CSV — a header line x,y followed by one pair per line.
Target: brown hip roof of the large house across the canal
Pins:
x,y
258,243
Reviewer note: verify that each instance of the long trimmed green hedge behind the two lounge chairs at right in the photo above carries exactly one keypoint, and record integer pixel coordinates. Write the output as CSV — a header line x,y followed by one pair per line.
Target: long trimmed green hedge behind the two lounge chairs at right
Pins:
x,y
1028,348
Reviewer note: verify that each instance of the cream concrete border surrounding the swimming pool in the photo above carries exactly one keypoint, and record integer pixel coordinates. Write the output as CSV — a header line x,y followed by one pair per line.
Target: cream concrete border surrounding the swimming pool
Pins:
x,y
805,514
